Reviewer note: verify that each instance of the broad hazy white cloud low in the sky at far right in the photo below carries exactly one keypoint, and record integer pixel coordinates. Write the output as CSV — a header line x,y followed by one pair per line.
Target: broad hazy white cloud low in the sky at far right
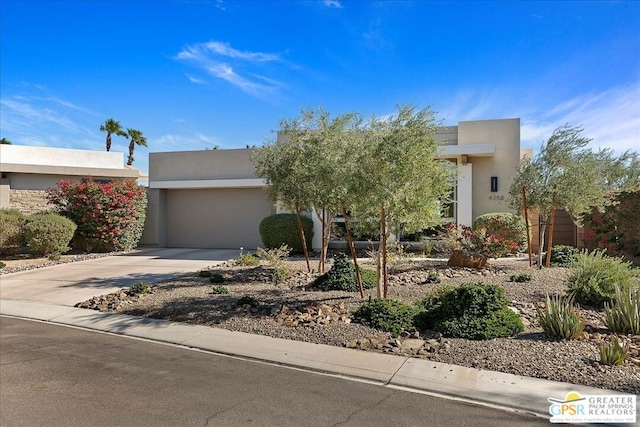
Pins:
x,y
611,118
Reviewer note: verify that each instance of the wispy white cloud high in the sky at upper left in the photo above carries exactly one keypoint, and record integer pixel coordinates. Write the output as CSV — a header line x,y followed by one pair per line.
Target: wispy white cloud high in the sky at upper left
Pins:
x,y
234,66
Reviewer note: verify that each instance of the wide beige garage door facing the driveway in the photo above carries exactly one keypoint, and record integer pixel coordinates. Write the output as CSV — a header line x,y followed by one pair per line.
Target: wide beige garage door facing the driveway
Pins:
x,y
216,218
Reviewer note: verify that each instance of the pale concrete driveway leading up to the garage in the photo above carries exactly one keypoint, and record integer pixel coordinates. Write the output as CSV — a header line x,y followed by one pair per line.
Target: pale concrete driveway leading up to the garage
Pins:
x,y
68,284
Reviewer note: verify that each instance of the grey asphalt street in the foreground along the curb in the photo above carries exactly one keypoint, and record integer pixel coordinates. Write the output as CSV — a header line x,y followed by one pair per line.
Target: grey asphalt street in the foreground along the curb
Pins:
x,y
59,376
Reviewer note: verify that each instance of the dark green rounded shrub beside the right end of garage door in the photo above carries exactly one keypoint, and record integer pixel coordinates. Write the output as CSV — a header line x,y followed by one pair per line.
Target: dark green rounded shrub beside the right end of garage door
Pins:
x,y
282,229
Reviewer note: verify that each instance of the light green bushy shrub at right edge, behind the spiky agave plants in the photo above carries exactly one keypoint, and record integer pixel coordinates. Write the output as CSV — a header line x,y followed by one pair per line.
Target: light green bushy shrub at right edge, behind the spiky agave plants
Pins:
x,y
594,277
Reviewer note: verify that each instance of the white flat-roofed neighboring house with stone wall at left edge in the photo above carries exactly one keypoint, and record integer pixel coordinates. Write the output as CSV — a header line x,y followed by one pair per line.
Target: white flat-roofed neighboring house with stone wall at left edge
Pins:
x,y
28,171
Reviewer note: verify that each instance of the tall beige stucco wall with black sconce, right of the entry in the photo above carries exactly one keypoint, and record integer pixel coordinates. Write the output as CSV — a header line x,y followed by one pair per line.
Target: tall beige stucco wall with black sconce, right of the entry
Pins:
x,y
505,135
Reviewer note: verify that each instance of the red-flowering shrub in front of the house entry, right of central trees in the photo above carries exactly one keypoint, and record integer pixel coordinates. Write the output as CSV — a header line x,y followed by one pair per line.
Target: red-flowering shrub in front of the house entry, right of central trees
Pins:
x,y
480,242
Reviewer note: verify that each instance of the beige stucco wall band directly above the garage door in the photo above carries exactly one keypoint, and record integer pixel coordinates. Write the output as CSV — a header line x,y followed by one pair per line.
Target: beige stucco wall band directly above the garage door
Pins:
x,y
201,165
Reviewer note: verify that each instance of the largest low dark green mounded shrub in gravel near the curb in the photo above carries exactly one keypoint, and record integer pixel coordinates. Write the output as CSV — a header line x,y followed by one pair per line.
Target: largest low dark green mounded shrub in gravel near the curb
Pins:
x,y
472,310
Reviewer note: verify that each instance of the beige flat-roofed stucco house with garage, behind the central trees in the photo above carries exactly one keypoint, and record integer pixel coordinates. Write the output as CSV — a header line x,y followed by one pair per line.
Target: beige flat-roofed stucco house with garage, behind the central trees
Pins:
x,y
213,199
